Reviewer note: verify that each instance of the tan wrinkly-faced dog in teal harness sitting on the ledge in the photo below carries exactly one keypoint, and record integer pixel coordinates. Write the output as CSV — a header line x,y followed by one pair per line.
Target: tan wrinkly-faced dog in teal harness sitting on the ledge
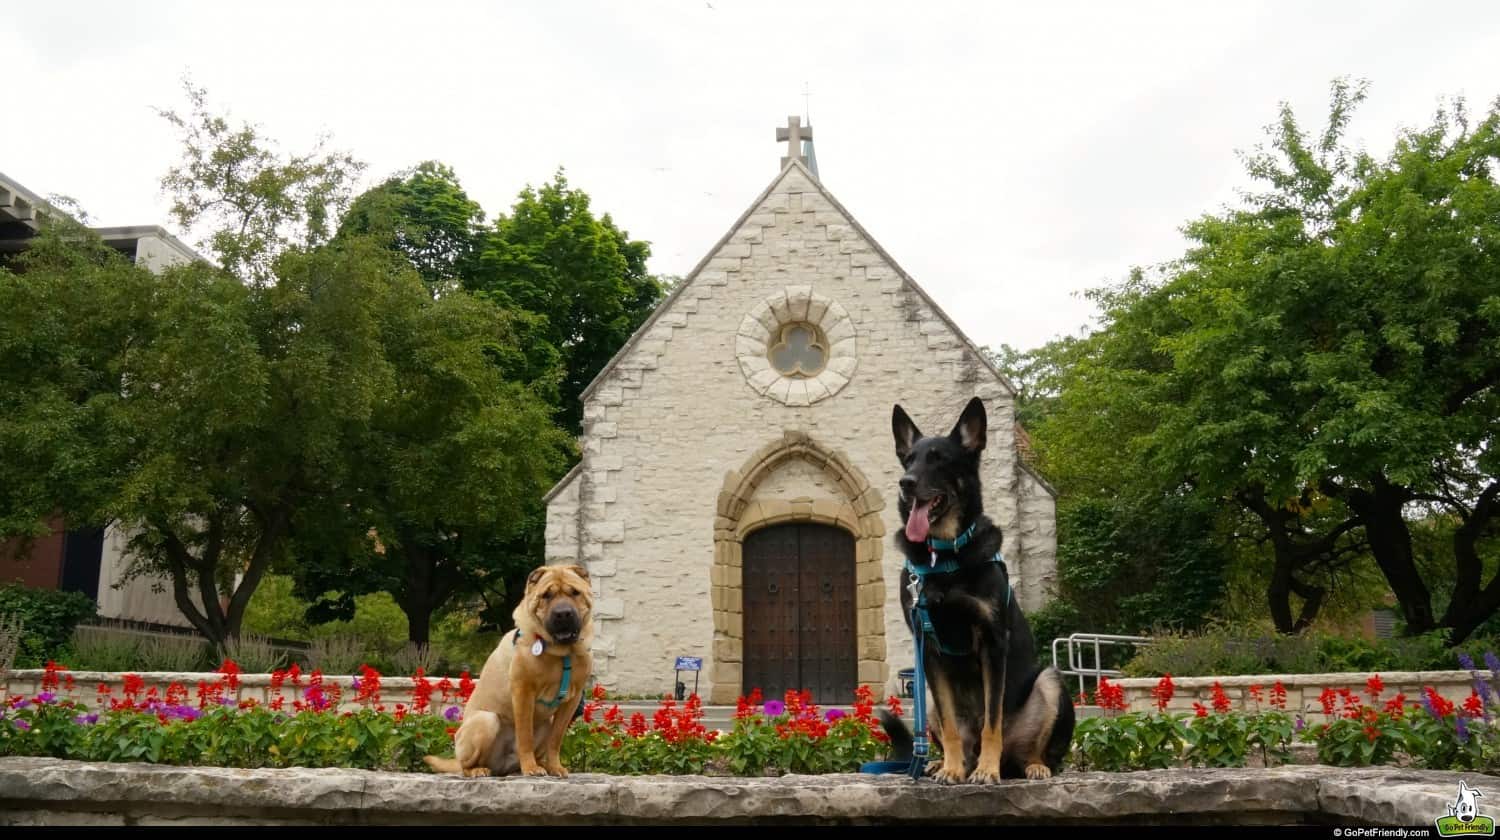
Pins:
x,y
520,712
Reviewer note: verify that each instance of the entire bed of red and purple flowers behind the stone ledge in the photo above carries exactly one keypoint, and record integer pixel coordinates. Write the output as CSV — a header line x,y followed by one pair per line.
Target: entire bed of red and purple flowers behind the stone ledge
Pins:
x,y
314,722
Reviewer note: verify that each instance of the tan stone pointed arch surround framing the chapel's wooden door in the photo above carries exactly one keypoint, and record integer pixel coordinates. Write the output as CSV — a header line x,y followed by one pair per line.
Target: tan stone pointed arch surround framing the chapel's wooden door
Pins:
x,y
859,512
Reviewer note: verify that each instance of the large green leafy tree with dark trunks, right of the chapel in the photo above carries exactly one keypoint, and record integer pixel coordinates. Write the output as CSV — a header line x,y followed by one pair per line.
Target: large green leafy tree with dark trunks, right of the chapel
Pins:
x,y
1322,358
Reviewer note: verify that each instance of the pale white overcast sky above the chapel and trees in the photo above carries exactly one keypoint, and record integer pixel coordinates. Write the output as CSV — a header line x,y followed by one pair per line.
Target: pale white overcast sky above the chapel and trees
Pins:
x,y
1006,155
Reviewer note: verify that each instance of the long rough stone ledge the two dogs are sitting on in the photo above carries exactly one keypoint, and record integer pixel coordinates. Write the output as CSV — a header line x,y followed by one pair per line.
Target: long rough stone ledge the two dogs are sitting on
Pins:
x,y
47,791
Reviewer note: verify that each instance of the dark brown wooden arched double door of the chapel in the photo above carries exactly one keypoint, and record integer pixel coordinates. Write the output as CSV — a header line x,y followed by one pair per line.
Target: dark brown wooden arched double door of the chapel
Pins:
x,y
800,611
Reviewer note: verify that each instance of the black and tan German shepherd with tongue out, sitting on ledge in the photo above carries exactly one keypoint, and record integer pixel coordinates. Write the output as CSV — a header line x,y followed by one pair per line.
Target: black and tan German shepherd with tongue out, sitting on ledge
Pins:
x,y
995,712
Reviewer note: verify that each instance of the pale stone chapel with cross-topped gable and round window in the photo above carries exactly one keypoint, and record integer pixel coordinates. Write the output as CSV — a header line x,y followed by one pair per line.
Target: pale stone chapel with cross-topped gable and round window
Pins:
x,y
736,500
